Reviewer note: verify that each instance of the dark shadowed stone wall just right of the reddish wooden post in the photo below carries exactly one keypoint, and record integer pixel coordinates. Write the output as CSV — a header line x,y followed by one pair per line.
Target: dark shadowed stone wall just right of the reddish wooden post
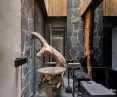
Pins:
x,y
98,35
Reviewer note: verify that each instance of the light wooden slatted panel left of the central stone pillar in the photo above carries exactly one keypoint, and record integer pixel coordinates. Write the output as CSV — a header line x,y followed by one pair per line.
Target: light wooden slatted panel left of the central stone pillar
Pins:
x,y
56,7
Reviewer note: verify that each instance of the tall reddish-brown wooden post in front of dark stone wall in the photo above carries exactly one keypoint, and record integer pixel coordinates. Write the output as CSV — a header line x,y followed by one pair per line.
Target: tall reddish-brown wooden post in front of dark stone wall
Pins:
x,y
88,28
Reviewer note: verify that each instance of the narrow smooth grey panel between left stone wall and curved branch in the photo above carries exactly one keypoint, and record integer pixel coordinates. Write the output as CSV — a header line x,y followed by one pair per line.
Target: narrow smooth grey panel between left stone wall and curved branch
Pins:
x,y
39,24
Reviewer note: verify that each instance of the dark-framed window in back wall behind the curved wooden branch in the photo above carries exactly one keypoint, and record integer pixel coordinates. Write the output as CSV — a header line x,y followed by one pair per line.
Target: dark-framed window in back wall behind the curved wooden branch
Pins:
x,y
57,40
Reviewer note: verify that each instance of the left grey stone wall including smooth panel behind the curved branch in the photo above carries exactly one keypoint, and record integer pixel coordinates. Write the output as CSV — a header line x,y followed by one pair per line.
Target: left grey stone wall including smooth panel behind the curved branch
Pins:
x,y
32,20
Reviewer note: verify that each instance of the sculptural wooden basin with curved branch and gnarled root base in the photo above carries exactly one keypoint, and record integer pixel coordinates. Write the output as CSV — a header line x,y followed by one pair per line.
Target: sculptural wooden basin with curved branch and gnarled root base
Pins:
x,y
51,77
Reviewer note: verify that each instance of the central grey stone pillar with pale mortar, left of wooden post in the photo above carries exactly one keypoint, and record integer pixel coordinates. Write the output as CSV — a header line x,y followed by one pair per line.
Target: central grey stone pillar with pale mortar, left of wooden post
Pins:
x,y
75,34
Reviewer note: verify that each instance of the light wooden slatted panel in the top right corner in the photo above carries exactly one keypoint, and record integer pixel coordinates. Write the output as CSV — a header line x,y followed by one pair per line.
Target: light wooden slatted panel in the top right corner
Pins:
x,y
110,7
